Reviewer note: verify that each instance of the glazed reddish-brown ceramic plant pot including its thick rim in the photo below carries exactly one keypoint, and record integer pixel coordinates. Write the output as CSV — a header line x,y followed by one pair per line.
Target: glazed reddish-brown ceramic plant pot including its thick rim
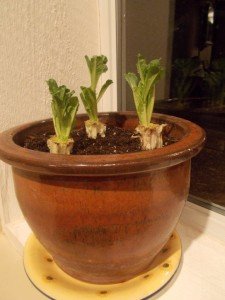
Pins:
x,y
103,218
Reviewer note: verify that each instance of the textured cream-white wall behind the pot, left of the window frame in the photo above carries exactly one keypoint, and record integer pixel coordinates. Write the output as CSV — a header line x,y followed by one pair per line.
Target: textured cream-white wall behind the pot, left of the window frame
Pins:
x,y
40,39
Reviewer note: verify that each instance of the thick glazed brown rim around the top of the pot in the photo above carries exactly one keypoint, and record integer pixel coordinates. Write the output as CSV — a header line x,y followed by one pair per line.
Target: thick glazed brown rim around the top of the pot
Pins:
x,y
103,165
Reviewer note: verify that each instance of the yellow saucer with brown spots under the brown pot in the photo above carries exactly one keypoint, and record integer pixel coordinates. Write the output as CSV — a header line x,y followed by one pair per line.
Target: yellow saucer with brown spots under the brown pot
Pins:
x,y
56,284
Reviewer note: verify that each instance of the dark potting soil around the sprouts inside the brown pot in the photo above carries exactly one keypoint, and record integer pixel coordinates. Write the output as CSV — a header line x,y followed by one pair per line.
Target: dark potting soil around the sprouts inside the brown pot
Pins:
x,y
116,141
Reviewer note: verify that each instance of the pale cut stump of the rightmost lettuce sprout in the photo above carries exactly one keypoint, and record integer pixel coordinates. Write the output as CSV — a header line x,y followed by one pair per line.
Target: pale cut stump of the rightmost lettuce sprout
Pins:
x,y
151,136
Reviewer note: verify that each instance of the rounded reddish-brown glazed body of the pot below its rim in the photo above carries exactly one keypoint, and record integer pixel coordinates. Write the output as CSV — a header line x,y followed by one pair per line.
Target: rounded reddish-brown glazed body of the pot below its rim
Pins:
x,y
97,226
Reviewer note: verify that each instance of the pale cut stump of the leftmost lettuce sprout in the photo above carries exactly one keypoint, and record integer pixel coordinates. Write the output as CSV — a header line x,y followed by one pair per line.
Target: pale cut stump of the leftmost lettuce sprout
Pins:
x,y
57,147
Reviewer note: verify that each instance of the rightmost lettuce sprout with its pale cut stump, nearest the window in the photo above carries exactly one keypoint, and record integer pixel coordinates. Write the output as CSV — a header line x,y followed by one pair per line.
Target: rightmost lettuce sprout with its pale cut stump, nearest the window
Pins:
x,y
143,88
